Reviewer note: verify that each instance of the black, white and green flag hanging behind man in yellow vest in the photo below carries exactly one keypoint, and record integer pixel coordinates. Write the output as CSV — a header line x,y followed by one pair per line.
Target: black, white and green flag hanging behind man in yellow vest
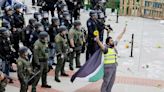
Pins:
x,y
92,70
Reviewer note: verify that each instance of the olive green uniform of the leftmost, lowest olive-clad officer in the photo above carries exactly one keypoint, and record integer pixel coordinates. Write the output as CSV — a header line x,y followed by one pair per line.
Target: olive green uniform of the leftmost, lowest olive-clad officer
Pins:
x,y
24,72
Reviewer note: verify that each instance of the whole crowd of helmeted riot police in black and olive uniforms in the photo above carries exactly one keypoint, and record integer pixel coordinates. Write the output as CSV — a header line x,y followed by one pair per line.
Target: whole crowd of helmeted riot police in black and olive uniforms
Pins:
x,y
63,38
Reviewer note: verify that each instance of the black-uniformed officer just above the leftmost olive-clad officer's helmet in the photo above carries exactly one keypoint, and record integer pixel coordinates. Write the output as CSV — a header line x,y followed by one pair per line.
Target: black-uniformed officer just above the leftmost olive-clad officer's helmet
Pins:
x,y
27,31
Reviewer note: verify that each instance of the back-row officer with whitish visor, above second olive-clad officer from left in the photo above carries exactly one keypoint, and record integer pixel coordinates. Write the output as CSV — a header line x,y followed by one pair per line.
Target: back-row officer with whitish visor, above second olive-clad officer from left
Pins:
x,y
45,21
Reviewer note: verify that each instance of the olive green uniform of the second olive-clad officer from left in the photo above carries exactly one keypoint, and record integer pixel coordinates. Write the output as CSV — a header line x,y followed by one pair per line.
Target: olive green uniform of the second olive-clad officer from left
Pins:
x,y
40,58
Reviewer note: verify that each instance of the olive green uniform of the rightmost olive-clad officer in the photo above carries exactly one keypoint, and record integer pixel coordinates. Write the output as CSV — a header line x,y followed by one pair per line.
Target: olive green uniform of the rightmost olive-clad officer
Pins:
x,y
78,39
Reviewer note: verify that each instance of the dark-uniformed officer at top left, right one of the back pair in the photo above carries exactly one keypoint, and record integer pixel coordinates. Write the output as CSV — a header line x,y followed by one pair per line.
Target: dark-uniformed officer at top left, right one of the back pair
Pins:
x,y
19,21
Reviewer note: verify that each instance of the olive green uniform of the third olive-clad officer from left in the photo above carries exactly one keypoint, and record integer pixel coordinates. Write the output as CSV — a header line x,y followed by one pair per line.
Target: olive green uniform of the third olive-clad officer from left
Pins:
x,y
62,48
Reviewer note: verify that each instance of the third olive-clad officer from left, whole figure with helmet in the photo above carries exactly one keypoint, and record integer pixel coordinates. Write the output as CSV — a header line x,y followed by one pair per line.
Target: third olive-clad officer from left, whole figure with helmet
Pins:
x,y
61,51
